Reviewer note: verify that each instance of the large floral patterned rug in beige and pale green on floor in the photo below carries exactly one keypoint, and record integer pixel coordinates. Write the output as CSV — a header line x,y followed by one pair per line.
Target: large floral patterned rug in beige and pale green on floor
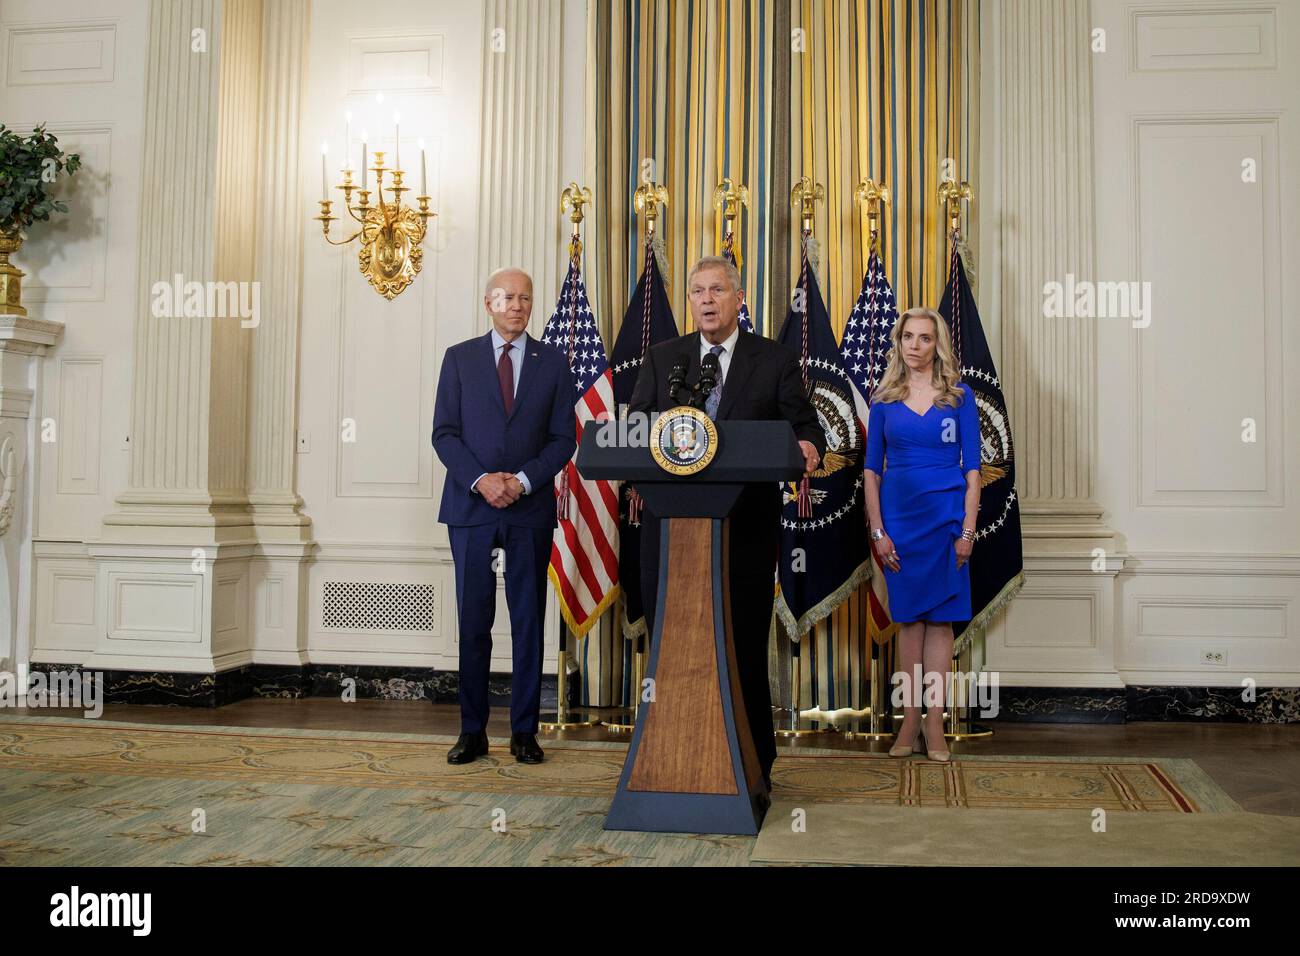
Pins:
x,y
96,793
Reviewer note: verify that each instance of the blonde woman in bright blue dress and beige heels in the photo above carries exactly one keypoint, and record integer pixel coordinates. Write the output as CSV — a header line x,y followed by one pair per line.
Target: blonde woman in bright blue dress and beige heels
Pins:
x,y
922,499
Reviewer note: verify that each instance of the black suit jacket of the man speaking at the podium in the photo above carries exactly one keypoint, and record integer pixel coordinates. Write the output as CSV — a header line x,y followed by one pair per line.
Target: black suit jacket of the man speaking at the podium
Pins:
x,y
764,383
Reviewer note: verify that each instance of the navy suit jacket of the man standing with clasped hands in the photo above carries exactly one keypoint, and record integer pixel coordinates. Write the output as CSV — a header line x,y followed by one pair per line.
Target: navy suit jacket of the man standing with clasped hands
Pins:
x,y
473,434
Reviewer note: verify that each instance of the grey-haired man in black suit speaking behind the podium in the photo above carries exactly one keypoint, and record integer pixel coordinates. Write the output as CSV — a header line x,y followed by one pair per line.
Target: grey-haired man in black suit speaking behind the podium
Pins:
x,y
759,380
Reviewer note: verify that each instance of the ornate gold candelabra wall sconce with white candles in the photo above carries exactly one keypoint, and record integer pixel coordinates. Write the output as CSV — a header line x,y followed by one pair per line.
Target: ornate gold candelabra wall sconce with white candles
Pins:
x,y
392,233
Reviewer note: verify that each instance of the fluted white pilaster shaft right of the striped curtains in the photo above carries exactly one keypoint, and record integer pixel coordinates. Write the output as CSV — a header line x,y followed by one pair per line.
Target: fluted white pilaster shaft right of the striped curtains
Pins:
x,y
1038,222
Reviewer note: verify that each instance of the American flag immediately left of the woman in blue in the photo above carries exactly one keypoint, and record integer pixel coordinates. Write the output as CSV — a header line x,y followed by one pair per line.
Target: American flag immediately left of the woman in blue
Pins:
x,y
865,352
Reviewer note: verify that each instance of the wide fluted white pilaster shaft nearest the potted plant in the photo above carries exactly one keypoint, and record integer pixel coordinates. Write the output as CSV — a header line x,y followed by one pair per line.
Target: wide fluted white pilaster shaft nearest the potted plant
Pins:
x,y
201,170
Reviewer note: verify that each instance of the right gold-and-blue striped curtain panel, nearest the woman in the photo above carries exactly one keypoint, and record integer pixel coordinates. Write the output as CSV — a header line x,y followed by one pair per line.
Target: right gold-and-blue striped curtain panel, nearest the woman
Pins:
x,y
890,92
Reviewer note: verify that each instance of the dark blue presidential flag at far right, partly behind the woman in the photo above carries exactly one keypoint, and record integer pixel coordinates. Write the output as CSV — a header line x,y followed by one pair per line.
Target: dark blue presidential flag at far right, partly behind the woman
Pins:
x,y
998,566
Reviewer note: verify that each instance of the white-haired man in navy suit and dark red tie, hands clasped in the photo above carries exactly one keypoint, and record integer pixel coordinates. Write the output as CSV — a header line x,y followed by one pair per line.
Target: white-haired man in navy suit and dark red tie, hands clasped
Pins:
x,y
504,427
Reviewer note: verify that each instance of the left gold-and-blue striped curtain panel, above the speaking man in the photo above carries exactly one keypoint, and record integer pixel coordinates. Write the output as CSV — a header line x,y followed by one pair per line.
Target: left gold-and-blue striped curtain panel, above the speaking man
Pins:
x,y
681,93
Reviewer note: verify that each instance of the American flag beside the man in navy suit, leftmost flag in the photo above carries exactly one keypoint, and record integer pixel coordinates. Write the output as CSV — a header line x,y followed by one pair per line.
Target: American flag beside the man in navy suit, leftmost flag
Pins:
x,y
586,547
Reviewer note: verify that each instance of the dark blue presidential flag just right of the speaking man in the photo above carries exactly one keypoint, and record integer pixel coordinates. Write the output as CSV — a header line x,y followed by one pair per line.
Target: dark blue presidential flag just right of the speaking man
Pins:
x,y
825,553
